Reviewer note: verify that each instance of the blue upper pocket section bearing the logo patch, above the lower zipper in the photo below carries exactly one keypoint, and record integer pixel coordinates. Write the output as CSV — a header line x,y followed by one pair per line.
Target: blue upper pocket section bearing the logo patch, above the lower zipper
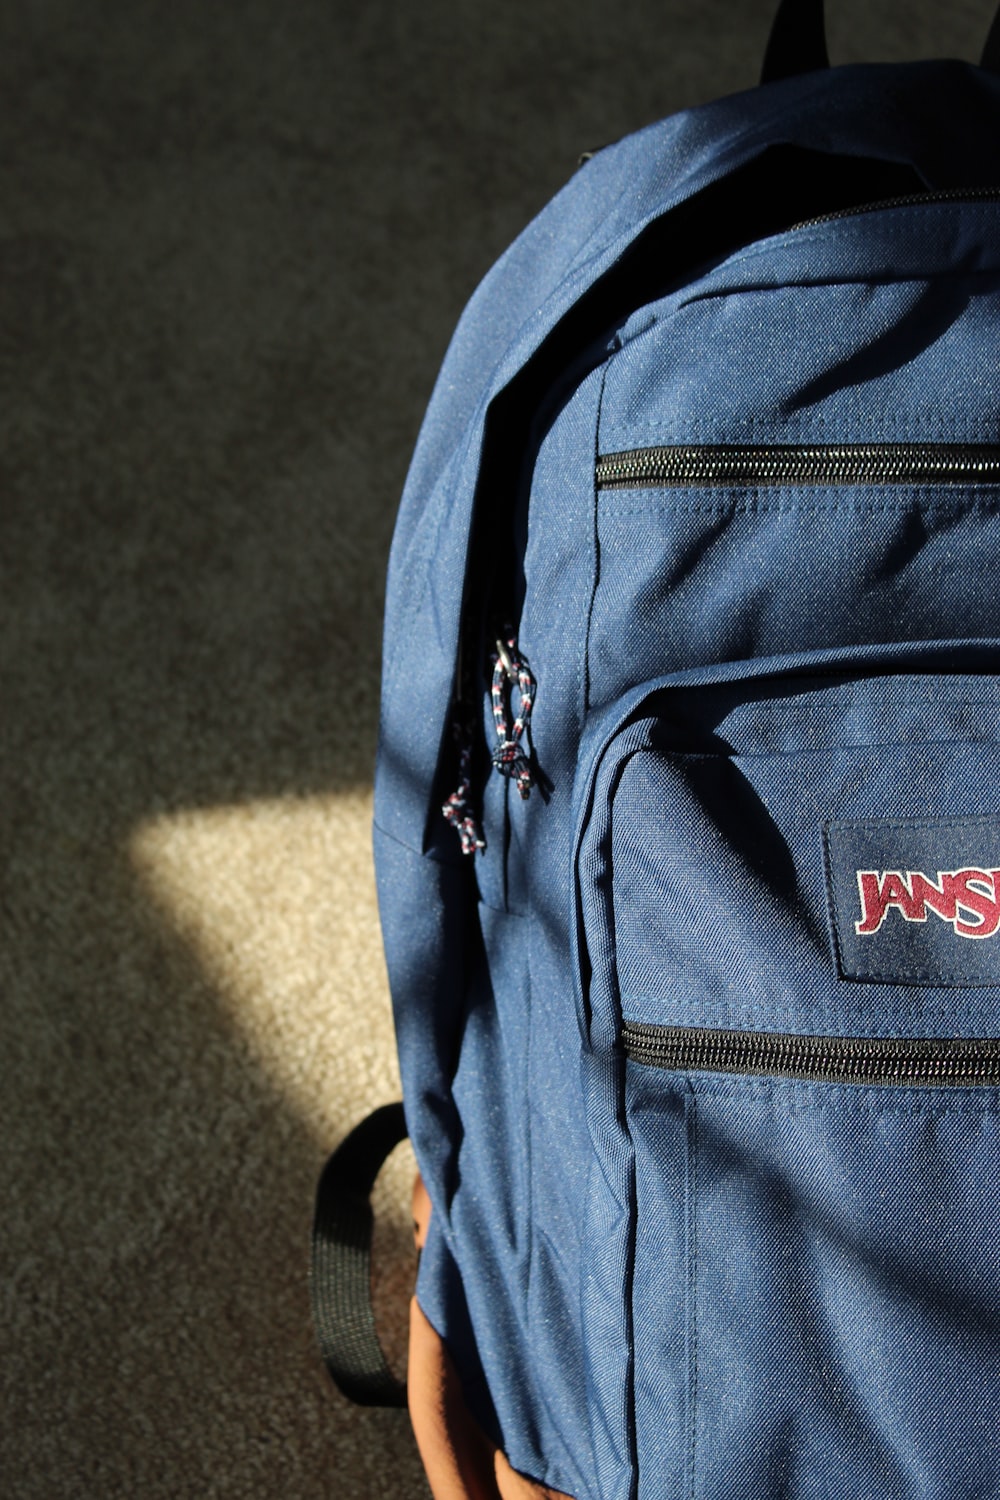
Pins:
x,y
807,851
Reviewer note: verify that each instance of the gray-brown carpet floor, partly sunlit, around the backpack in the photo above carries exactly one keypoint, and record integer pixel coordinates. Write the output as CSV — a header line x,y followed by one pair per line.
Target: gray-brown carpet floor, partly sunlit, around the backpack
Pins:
x,y
235,241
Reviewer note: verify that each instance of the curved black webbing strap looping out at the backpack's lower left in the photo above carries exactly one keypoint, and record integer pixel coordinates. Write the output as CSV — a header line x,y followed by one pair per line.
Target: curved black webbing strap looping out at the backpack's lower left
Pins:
x,y
341,1280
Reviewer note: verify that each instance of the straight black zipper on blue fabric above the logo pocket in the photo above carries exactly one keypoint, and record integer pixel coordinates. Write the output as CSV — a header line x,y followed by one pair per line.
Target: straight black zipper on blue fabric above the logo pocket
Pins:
x,y
732,466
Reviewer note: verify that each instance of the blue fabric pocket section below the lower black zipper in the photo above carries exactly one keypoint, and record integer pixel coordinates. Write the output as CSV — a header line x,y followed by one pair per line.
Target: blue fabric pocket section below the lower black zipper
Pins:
x,y
815,1288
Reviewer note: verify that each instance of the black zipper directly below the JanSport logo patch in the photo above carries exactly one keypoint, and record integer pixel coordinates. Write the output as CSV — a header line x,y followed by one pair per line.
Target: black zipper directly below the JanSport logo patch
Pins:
x,y
827,1060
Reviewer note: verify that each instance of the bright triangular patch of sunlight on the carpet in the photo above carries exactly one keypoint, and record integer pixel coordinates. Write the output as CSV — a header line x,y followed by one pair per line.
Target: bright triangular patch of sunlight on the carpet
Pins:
x,y
277,899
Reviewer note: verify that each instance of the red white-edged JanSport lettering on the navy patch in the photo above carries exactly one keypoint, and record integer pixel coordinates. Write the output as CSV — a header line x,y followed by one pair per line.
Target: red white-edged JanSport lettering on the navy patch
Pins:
x,y
968,899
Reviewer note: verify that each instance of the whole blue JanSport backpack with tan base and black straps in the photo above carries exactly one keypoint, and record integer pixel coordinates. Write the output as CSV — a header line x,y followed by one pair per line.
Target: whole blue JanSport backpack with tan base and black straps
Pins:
x,y
689,820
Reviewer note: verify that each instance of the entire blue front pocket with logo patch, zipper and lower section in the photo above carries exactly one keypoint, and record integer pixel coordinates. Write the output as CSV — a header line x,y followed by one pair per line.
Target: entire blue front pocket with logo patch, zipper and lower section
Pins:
x,y
789,938
